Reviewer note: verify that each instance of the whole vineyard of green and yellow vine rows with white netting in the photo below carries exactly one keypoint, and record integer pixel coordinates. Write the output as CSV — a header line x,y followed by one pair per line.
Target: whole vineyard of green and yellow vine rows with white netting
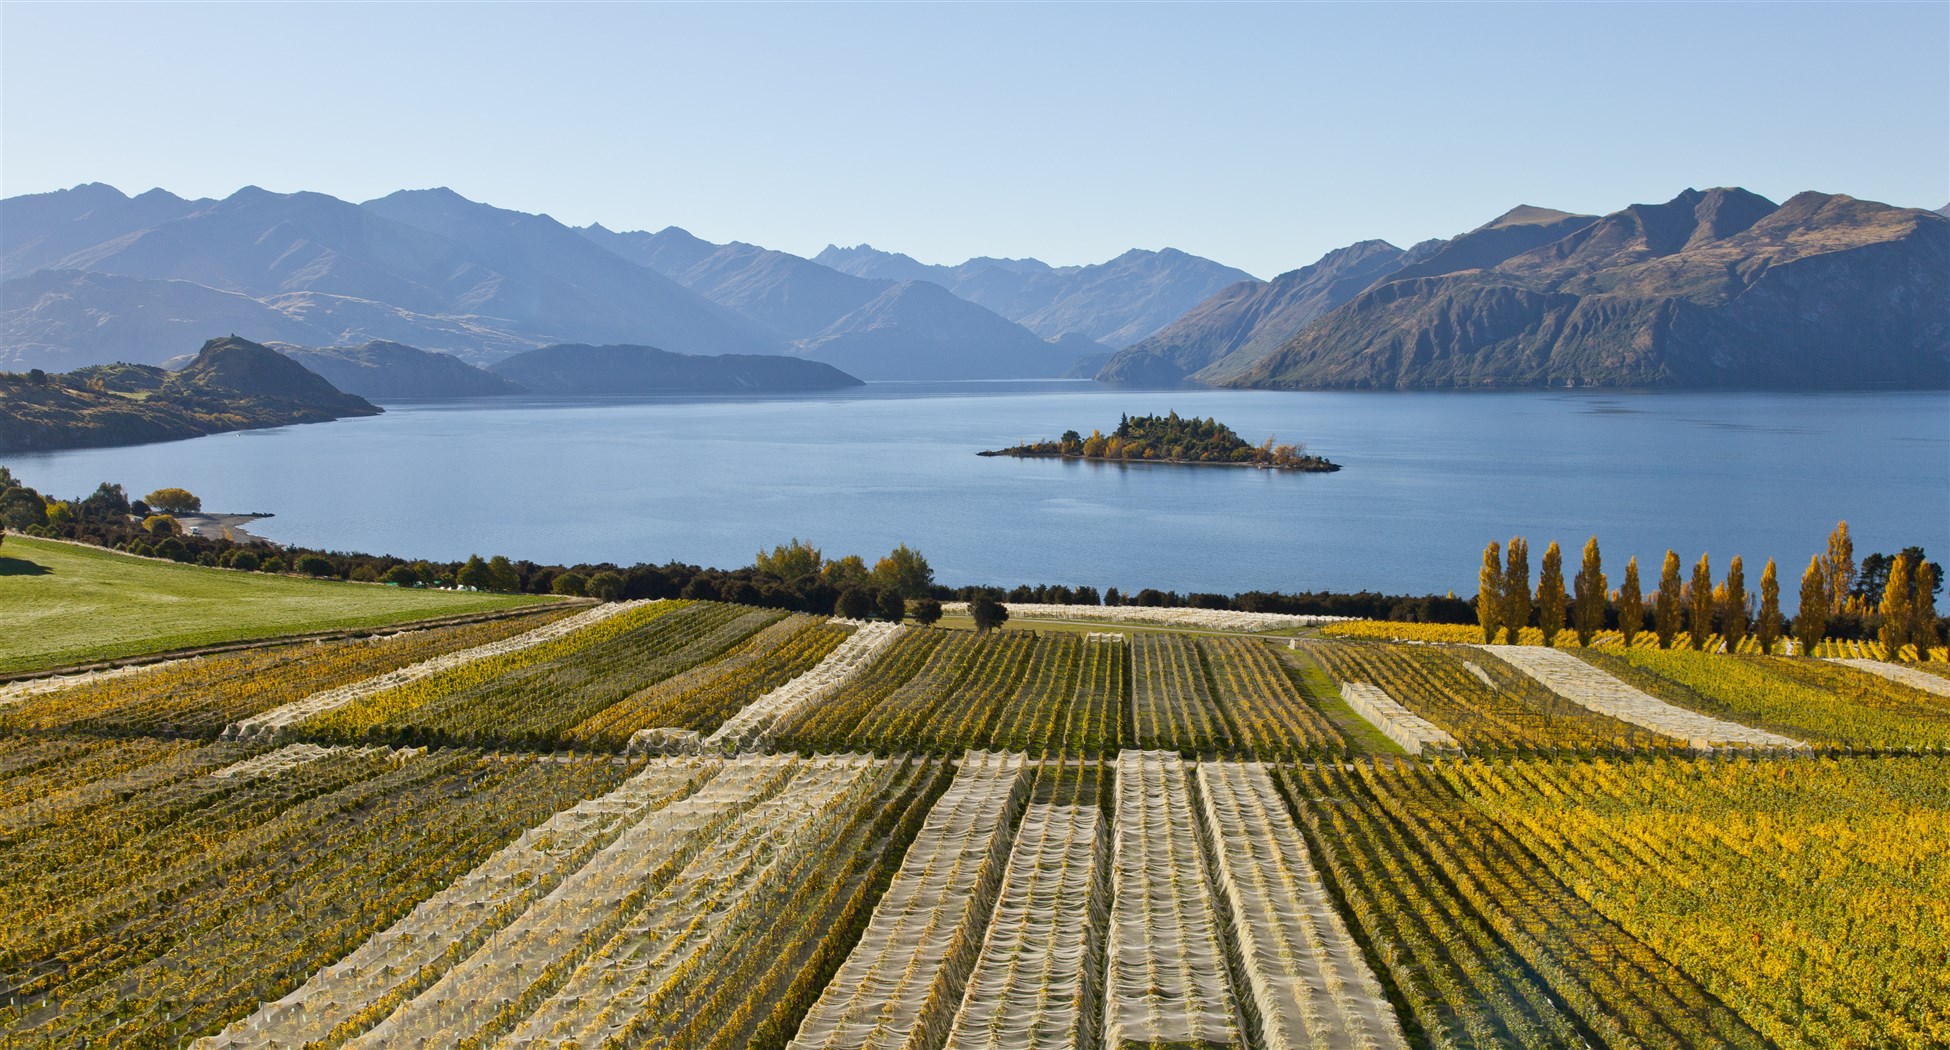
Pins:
x,y
693,825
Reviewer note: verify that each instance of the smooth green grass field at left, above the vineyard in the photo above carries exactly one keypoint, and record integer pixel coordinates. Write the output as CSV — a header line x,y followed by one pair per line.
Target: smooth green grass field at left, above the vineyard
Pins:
x,y
63,604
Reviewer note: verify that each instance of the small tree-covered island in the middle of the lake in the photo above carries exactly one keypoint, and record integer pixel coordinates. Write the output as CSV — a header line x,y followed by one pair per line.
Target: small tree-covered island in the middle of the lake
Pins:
x,y
1171,438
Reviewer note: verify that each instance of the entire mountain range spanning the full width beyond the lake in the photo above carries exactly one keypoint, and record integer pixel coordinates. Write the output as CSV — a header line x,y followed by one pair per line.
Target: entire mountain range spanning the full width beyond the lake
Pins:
x,y
1715,288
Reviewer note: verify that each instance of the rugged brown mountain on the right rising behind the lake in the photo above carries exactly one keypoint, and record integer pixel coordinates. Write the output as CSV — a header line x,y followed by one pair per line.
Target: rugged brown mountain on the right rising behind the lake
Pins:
x,y
1715,288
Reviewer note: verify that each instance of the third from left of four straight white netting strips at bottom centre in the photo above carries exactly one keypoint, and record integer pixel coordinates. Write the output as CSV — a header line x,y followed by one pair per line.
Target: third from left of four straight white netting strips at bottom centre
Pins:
x,y
1167,979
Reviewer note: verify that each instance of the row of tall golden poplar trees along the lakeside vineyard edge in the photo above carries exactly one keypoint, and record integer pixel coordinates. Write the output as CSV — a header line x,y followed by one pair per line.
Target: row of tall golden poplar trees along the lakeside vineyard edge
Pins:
x,y
1504,600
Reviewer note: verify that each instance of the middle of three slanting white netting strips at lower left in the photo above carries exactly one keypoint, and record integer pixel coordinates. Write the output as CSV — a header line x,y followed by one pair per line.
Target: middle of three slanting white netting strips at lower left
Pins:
x,y
520,965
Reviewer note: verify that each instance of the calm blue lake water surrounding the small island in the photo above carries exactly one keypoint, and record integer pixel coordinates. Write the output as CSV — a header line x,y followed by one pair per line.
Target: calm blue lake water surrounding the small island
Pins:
x,y
1426,481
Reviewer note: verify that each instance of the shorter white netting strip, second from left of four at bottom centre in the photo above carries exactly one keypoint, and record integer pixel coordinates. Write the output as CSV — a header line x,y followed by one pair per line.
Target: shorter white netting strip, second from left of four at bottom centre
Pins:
x,y
1036,983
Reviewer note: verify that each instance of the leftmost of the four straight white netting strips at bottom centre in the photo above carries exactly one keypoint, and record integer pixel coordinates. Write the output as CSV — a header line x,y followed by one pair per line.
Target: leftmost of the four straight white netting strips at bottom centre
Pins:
x,y
904,981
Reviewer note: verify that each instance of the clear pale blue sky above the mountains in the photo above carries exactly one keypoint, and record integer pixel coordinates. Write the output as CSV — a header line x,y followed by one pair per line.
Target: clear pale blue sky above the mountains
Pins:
x,y
1261,134
